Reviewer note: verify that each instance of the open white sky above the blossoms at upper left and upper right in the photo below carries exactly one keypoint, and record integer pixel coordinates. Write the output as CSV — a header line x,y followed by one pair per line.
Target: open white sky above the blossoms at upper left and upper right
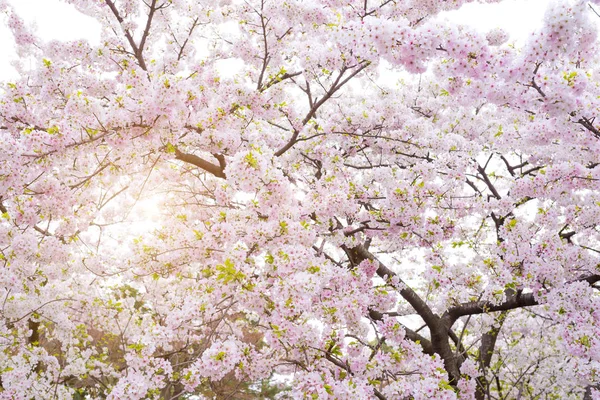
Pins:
x,y
57,20
